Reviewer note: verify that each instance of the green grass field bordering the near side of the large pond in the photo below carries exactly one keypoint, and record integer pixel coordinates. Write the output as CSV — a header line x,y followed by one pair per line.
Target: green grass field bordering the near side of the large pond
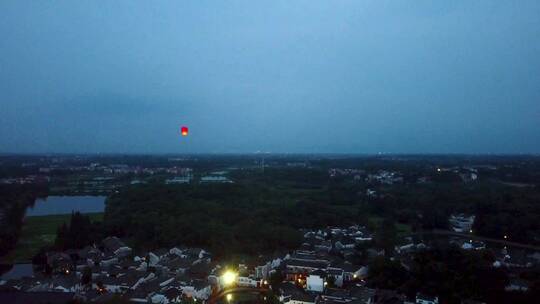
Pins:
x,y
39,231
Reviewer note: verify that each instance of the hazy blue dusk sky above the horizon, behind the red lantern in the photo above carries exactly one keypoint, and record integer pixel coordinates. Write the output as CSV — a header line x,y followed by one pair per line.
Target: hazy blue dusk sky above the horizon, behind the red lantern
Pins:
x,y
273,76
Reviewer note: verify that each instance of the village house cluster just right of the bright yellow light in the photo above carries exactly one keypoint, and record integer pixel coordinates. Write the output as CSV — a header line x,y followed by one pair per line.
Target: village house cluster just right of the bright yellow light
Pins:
x,y
323,271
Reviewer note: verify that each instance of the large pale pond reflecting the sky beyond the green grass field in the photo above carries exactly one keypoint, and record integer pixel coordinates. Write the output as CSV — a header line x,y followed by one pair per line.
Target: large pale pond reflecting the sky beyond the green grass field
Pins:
x,y
67,204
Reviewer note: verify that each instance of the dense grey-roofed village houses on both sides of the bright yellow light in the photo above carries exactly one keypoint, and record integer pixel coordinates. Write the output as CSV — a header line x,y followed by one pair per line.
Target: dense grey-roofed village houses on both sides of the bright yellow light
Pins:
x,y
317,271
